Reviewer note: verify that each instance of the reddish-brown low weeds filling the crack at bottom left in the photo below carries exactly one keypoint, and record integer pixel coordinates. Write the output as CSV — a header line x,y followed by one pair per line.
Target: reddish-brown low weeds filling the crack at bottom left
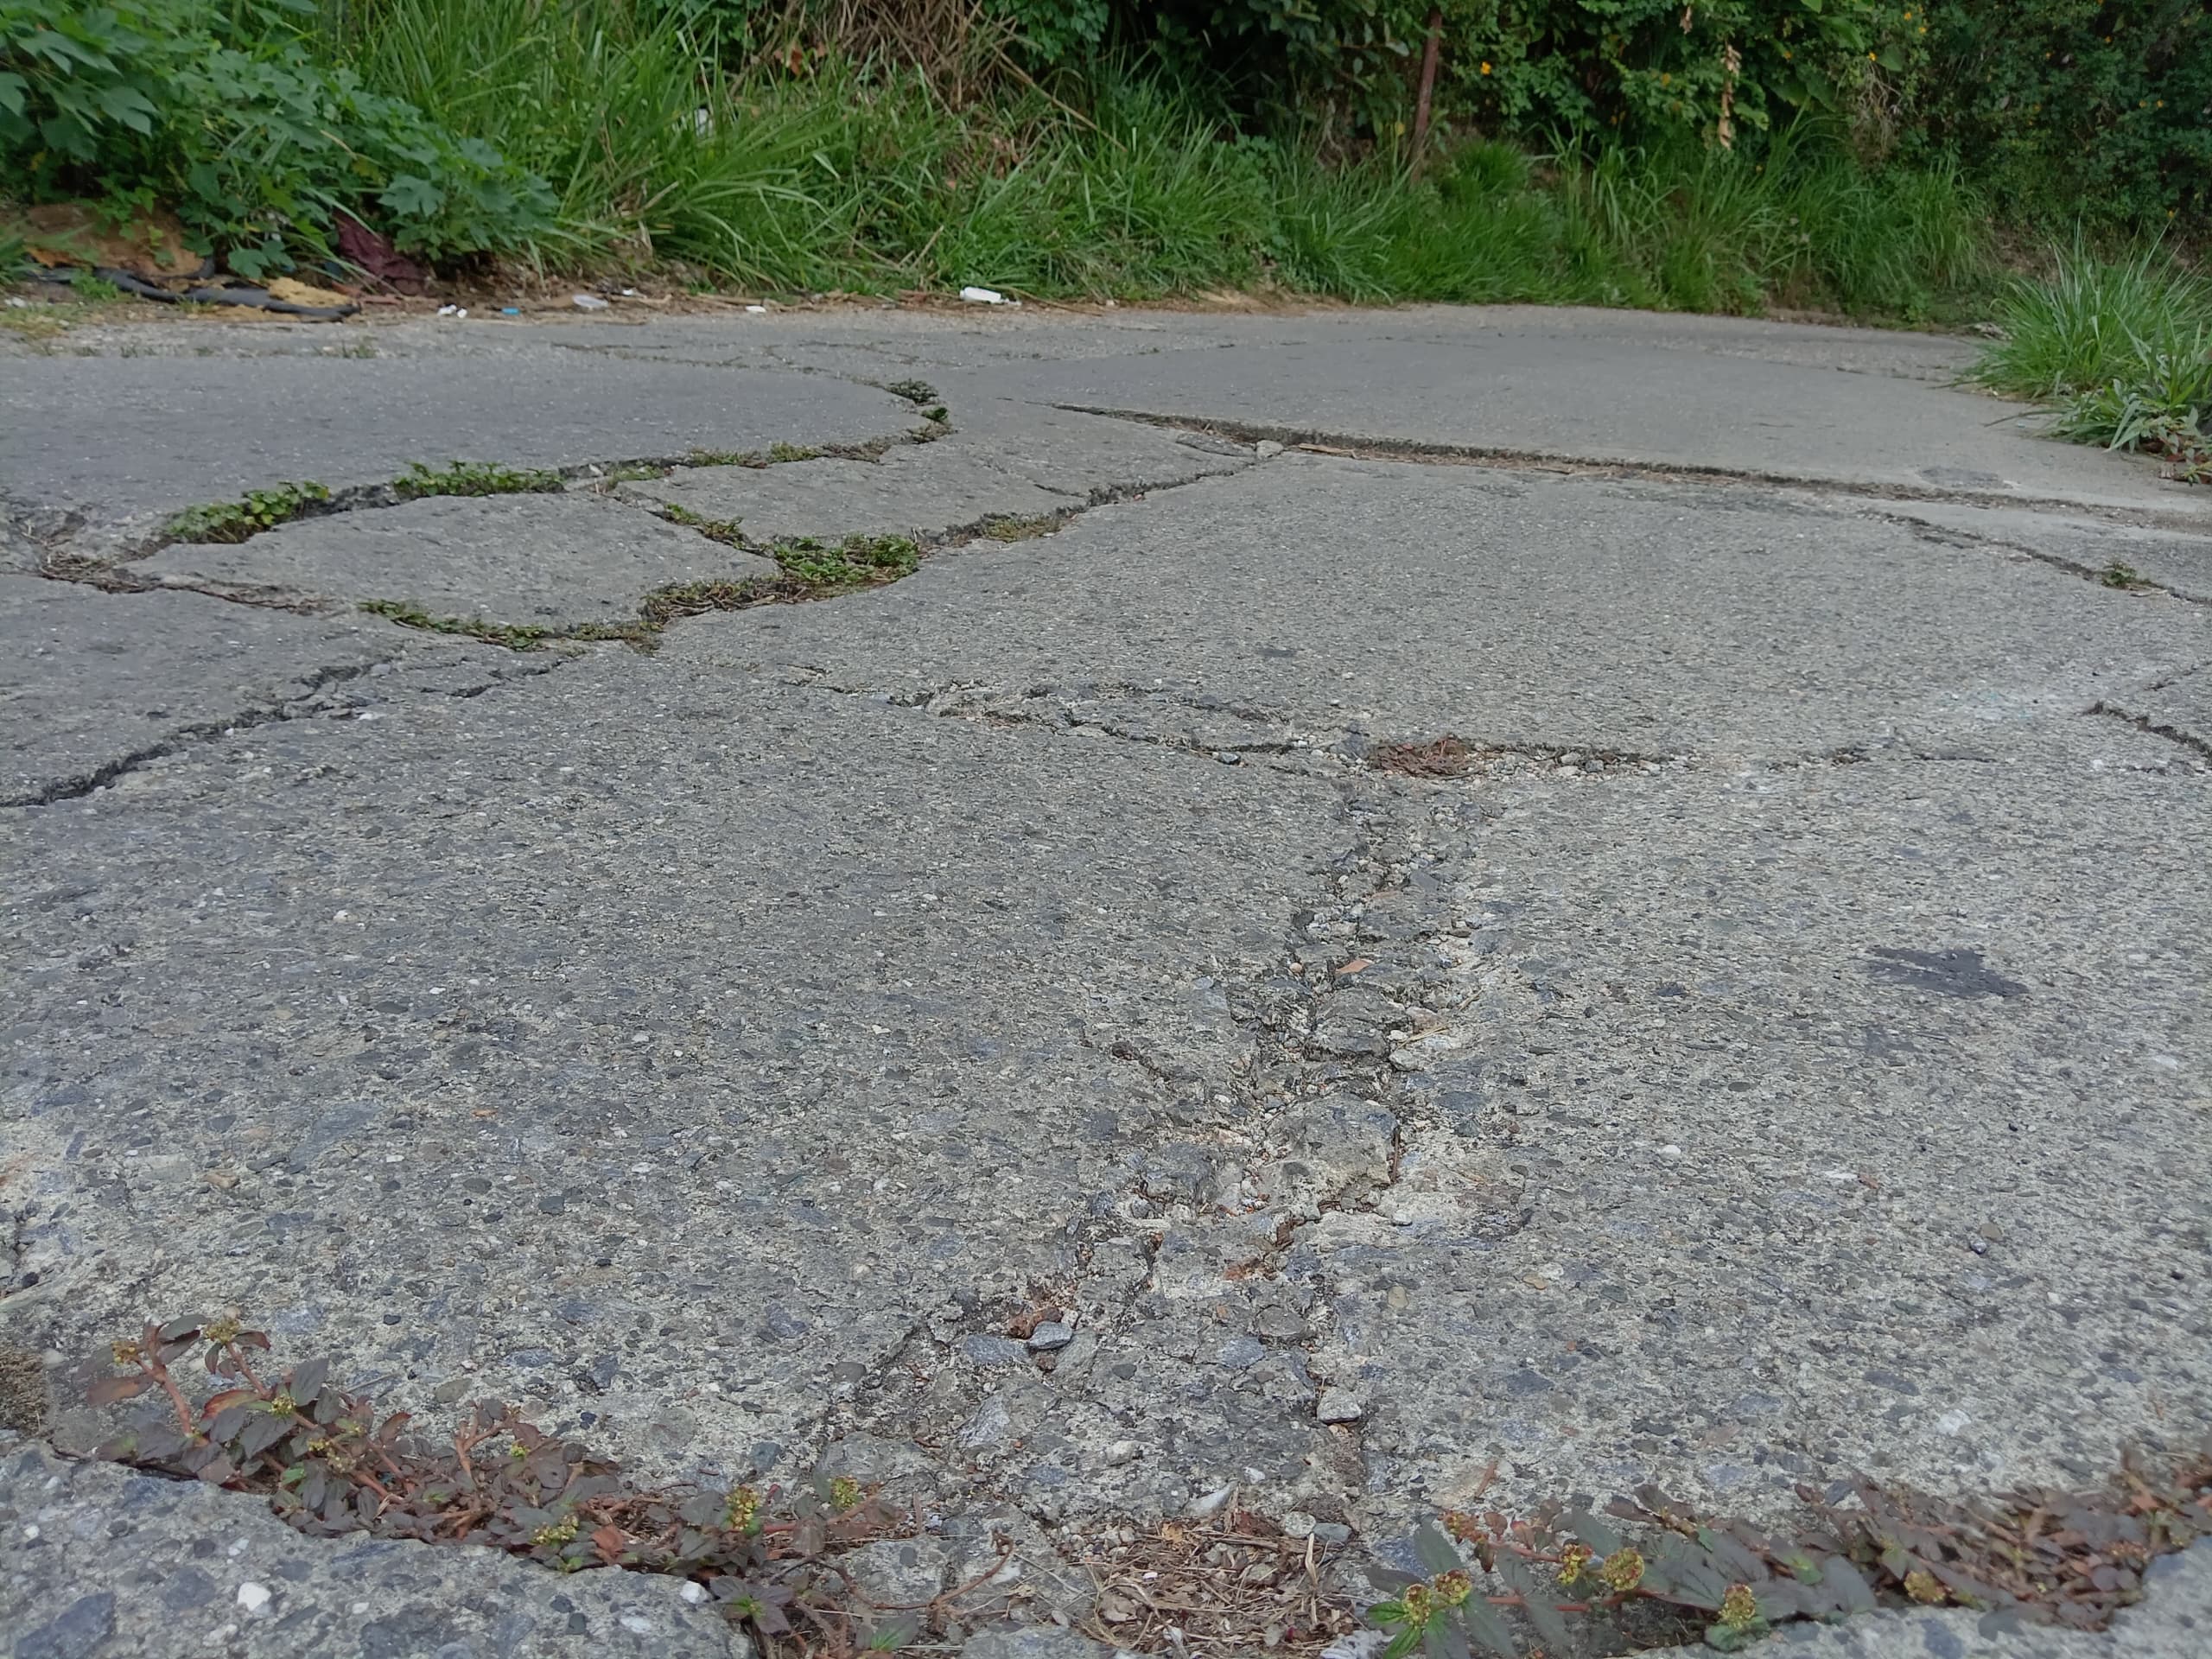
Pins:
x,y
324,1461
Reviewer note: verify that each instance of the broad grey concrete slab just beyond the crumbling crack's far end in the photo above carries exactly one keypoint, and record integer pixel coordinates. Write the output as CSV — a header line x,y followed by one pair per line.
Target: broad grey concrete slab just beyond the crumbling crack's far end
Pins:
x,y
1512,609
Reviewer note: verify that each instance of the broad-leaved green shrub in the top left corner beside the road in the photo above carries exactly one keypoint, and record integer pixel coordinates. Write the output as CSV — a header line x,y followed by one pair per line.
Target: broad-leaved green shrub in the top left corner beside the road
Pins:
x,y
227,116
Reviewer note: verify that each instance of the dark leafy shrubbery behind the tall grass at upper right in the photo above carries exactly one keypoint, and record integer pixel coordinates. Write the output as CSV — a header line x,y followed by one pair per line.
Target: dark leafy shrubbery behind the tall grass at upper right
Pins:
x,y
2058,107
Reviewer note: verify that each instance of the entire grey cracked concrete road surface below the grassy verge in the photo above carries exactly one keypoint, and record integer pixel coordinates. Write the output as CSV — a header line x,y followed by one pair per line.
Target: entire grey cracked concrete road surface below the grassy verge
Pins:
x,y
1777,1047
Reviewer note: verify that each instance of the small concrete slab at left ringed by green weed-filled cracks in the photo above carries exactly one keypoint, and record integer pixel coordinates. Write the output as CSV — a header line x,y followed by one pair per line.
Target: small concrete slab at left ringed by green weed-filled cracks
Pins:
x,y
541,561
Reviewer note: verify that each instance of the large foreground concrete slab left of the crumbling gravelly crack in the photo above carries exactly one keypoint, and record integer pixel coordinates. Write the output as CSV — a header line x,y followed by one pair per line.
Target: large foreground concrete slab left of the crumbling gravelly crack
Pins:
x,y
822,1047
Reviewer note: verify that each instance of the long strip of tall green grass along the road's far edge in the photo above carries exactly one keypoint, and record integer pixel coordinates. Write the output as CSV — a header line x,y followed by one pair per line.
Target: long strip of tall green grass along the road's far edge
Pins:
x,y
857,182
